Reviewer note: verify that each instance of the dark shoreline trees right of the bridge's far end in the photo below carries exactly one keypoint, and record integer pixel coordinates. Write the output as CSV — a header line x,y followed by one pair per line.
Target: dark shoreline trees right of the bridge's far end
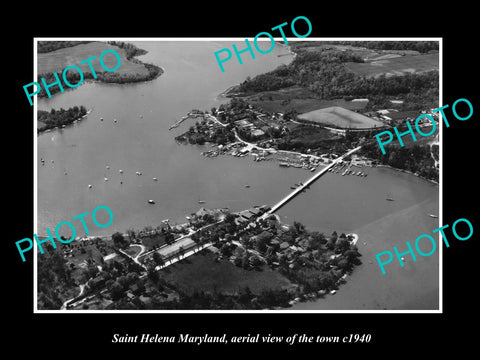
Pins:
x,y
416,159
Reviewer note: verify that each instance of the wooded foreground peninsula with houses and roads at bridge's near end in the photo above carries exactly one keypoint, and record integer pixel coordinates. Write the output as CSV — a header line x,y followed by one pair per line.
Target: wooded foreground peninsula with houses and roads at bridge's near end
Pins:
x,y
251,261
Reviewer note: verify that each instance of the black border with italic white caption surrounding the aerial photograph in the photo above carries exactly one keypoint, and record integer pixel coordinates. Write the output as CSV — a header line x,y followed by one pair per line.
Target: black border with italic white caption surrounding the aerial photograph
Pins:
x,y
399,332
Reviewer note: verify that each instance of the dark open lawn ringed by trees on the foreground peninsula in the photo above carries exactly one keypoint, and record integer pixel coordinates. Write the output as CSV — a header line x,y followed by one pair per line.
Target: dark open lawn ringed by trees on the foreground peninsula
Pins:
x,y
202,273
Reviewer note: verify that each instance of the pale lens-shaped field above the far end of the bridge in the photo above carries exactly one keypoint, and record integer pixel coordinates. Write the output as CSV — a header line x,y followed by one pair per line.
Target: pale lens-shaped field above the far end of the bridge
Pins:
x,y
340,117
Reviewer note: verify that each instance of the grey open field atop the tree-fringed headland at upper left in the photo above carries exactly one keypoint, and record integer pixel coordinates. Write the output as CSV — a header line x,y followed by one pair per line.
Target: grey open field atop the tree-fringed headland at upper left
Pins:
x,y
57,60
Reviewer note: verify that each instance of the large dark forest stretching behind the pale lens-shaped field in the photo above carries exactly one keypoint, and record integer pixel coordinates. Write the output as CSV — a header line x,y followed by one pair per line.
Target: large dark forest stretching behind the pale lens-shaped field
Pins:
x,y
323,73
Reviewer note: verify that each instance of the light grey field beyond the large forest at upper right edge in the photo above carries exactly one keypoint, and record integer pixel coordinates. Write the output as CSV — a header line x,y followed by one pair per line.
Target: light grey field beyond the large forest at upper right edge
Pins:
x,y
399,65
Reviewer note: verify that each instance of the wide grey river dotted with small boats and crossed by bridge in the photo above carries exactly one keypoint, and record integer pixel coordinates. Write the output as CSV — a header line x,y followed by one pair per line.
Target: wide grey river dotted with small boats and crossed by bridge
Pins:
x,y
139,140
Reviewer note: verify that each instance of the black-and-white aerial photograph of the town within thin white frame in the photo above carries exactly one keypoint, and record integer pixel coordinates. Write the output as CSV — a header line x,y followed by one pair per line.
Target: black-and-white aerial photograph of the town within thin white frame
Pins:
x,y
238,186
